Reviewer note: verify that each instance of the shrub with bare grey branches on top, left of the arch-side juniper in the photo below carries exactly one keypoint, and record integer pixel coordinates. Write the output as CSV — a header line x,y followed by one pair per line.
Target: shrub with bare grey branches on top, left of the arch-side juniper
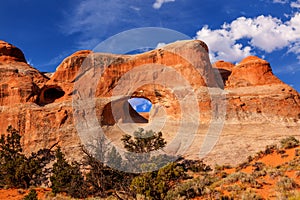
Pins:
x,y
105,177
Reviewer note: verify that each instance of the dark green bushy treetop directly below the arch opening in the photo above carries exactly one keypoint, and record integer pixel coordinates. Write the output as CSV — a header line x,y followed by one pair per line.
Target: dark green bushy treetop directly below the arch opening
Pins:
x,y
143,141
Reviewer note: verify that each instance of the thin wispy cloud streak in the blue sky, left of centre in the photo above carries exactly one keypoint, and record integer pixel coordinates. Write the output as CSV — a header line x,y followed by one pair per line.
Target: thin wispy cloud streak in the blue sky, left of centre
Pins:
x,y
92,19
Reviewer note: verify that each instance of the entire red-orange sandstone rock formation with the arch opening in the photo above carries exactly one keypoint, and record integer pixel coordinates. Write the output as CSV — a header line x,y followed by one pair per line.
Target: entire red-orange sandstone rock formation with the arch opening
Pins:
x,y
176,78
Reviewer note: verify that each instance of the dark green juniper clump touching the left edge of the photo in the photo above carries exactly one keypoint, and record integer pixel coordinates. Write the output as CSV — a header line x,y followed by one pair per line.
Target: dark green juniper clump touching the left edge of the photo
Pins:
x,y
16,169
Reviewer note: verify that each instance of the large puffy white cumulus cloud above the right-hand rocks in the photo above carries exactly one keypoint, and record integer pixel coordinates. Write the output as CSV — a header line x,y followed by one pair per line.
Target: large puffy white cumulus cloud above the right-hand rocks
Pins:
x,y
265,33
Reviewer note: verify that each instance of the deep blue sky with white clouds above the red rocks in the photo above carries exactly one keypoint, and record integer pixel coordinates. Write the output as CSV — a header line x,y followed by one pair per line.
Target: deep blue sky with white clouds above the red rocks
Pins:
x,y
48,31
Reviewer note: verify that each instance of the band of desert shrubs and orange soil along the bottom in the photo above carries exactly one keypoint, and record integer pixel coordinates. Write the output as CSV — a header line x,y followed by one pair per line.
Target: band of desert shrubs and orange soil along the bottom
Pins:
x,y
100,175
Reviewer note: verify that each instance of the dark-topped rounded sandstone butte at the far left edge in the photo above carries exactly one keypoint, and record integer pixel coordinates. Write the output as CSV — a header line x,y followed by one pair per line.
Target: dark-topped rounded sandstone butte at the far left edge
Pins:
x,y
19,81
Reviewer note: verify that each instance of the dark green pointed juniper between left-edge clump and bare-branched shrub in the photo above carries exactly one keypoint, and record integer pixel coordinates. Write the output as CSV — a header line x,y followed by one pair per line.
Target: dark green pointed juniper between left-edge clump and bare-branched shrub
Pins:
x,y
67,178
